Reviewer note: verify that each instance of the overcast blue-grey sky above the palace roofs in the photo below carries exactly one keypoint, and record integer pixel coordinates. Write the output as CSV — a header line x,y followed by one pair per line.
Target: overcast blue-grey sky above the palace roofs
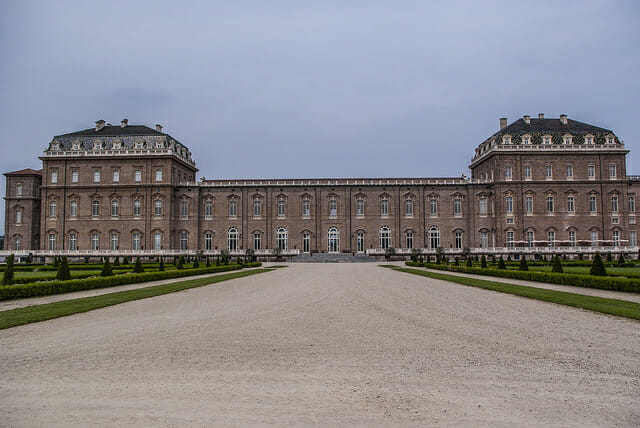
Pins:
x,y
315,88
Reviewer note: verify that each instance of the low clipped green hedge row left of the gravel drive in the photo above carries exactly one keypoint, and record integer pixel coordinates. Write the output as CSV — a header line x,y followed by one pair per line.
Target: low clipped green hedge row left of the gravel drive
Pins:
x,y
46,288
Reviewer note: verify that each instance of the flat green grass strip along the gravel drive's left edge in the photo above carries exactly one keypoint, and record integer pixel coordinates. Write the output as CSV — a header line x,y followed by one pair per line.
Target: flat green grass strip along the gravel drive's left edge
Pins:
x,y
47,311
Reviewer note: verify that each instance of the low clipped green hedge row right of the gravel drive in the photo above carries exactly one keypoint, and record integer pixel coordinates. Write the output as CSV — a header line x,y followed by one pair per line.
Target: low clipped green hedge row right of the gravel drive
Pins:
x,y
587,281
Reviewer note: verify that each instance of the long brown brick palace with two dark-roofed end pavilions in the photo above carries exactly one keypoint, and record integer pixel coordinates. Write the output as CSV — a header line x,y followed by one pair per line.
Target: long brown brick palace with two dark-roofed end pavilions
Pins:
x,y
537,184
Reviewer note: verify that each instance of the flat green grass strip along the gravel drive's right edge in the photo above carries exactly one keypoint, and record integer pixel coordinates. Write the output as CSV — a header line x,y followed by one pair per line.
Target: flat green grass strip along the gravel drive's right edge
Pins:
x,y
621,308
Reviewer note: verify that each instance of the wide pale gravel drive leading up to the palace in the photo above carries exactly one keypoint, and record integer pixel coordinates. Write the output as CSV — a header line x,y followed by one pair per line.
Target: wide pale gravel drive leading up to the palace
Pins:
x,y
314,344
